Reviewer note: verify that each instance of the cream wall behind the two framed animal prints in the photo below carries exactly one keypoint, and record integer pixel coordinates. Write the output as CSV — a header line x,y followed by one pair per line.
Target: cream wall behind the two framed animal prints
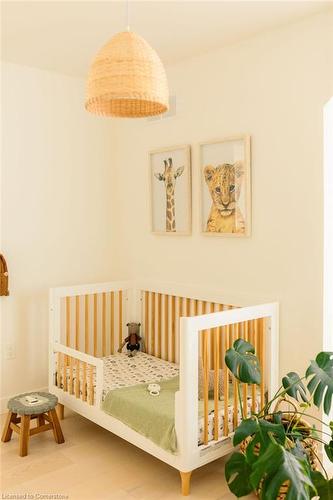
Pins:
x,y
272,86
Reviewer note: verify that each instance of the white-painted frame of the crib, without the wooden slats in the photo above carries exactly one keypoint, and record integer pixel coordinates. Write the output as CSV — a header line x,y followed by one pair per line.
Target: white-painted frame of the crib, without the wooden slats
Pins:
x,y
189,456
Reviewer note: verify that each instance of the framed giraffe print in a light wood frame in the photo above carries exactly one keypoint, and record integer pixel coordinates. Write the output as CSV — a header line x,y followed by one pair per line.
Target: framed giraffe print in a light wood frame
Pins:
x,y
170,191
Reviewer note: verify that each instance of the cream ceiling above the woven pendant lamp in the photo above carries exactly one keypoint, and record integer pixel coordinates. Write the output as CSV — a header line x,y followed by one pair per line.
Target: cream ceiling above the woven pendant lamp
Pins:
x,y
64,36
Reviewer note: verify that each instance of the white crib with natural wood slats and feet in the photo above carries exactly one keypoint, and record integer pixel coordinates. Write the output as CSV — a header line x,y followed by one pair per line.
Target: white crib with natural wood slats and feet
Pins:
x,y
185,325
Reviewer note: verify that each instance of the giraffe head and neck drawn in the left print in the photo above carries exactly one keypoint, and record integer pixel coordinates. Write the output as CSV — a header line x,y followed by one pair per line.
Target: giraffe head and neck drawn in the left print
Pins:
x,y
169,177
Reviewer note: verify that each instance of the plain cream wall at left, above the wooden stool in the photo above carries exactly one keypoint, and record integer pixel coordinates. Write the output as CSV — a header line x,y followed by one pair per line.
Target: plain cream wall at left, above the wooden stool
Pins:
x,y
56,223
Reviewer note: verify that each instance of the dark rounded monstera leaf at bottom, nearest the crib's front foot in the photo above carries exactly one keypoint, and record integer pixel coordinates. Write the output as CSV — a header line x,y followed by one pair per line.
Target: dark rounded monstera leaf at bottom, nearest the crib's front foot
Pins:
x,y
237,473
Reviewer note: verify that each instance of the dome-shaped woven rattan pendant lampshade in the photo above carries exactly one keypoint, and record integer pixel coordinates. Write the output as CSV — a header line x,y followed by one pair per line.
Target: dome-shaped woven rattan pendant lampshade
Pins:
x,y
127,79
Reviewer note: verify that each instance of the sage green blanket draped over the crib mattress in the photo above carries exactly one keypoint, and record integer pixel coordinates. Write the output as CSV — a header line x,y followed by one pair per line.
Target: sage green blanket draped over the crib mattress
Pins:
x,y
153,417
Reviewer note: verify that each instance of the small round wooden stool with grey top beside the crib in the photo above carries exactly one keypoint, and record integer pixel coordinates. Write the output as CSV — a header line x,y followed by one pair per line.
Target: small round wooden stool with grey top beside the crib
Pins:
x,y
22,412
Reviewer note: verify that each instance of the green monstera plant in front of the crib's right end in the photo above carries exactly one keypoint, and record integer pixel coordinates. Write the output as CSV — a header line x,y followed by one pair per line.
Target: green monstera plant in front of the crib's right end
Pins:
x,y
275,450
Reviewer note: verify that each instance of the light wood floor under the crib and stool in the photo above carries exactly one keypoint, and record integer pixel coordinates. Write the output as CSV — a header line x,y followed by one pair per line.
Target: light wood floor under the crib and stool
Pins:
x,y
94,464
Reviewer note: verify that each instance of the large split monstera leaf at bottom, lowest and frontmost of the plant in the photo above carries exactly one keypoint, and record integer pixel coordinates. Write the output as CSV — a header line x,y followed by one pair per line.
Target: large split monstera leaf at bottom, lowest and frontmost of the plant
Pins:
x,y
276,466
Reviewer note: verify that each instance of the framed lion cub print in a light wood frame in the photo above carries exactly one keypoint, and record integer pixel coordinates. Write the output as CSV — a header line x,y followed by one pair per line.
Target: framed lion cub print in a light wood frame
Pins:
x,y
226,187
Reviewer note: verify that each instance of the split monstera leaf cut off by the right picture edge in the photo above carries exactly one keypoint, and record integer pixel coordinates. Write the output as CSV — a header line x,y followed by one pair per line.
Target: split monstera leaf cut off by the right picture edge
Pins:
x,y
320,385
